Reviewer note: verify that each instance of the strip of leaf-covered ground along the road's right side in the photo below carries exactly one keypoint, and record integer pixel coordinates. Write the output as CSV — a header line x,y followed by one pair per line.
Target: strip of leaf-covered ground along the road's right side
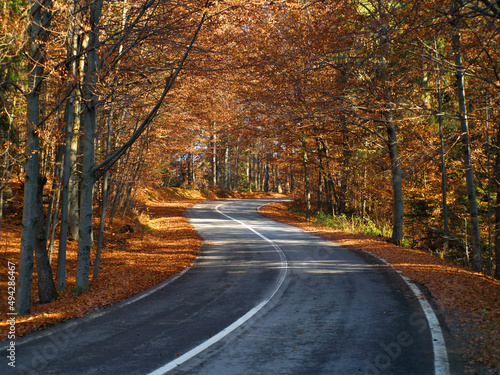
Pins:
x,y
469,301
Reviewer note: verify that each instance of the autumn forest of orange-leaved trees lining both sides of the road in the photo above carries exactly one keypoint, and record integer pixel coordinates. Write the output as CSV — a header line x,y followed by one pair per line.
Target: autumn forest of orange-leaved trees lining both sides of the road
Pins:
x,y
378,112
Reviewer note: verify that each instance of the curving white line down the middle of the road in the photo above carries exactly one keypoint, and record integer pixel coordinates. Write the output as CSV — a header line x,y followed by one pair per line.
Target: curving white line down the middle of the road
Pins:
x,y
219,336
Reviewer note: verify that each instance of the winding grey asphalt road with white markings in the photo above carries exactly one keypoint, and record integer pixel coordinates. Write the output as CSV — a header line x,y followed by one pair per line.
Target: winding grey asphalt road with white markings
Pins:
x,y
262,298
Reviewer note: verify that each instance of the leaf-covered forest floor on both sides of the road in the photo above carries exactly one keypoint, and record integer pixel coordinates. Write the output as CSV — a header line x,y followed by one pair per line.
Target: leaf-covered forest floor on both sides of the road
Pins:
x,y
158,242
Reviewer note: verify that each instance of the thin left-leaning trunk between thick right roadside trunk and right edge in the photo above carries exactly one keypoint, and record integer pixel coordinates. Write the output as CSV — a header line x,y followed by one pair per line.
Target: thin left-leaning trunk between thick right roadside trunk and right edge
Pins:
x,y
477,263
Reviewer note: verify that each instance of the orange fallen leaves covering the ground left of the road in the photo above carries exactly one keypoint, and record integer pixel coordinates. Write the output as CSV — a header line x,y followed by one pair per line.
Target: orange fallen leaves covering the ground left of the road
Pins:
x,y
131,262
